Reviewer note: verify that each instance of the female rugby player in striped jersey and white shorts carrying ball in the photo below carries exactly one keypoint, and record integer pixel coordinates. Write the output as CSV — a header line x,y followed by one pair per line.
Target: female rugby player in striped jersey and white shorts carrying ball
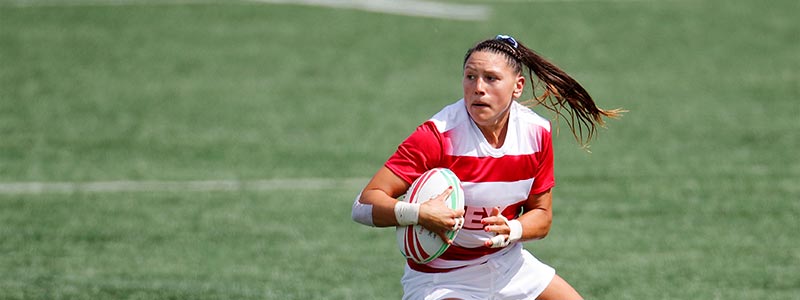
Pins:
x,y
502,152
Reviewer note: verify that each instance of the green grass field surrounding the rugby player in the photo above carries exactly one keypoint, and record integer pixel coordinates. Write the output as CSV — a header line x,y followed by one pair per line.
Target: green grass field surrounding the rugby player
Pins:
x,y
694,194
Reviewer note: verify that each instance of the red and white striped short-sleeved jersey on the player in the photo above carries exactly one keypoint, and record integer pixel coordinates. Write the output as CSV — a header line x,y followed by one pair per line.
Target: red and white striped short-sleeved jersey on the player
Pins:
x,y
492,177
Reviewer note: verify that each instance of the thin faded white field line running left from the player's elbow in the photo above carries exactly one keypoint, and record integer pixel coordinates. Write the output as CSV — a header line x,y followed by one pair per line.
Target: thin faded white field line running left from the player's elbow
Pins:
x,y
24,188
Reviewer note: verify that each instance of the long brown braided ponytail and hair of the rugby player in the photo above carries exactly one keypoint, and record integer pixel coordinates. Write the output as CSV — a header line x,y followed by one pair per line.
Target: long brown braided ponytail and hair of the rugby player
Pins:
x,y
561,91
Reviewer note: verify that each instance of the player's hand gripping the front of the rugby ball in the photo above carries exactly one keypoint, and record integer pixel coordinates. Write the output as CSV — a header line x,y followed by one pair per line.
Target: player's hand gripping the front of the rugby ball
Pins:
x,y
435,216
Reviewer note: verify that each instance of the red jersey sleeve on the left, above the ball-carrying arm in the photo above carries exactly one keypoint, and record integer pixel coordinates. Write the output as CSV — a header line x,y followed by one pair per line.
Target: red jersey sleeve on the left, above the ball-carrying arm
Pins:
x,y
420,152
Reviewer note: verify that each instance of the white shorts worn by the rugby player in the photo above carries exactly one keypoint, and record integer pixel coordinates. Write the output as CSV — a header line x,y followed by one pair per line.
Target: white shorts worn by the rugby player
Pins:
x,y
517,274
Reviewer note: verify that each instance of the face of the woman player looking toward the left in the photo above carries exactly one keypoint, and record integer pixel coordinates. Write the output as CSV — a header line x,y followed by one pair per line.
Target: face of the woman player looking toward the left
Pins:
x,y
490,84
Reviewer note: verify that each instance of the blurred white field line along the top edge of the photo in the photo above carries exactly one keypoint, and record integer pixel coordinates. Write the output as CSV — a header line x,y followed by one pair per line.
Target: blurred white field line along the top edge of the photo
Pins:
x,y
413,8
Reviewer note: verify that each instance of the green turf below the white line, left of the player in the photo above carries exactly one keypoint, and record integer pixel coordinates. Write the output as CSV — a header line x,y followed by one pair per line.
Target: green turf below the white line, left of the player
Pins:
x,y
189,246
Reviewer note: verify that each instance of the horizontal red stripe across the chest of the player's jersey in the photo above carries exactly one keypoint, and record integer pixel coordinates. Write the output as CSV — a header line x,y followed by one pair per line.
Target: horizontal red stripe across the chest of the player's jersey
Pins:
x,y
493,169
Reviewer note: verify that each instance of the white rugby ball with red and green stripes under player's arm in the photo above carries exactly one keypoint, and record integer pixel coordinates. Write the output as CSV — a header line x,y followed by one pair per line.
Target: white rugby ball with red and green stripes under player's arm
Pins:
x,y
415,242
